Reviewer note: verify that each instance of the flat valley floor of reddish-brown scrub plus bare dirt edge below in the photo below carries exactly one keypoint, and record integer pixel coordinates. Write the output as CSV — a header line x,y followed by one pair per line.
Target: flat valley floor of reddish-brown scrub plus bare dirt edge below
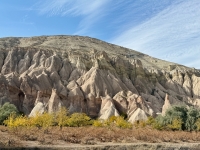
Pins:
x,y
97,138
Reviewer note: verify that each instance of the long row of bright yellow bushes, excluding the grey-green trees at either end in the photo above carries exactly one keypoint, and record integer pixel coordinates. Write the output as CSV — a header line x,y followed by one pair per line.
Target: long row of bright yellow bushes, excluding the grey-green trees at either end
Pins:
x,y
62,118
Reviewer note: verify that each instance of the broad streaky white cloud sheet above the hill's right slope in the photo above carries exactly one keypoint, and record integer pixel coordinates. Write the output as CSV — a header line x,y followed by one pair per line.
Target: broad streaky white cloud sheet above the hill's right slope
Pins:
x,y
173,34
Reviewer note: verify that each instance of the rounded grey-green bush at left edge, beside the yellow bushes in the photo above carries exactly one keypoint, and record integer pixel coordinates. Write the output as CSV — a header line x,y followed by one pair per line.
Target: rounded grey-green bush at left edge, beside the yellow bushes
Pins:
x,y
6,110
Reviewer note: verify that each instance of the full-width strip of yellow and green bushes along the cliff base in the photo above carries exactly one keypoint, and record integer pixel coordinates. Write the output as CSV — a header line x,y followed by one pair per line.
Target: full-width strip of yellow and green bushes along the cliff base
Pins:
x,y
175,118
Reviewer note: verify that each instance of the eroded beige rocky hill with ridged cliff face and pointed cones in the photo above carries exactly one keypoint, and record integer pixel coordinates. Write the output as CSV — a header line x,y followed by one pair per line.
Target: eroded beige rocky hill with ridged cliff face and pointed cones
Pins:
x,y
91,76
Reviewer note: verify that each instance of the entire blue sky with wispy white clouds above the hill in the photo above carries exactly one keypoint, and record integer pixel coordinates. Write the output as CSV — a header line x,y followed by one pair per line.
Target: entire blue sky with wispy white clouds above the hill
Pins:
x,y
166,29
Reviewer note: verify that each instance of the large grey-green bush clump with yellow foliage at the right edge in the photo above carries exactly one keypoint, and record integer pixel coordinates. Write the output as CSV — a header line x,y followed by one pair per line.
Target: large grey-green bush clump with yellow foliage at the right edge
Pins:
x,y
177,118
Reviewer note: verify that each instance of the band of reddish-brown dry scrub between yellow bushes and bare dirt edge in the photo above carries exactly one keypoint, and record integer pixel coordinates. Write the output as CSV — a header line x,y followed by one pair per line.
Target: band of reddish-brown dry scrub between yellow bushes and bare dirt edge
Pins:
x,y
93,135
